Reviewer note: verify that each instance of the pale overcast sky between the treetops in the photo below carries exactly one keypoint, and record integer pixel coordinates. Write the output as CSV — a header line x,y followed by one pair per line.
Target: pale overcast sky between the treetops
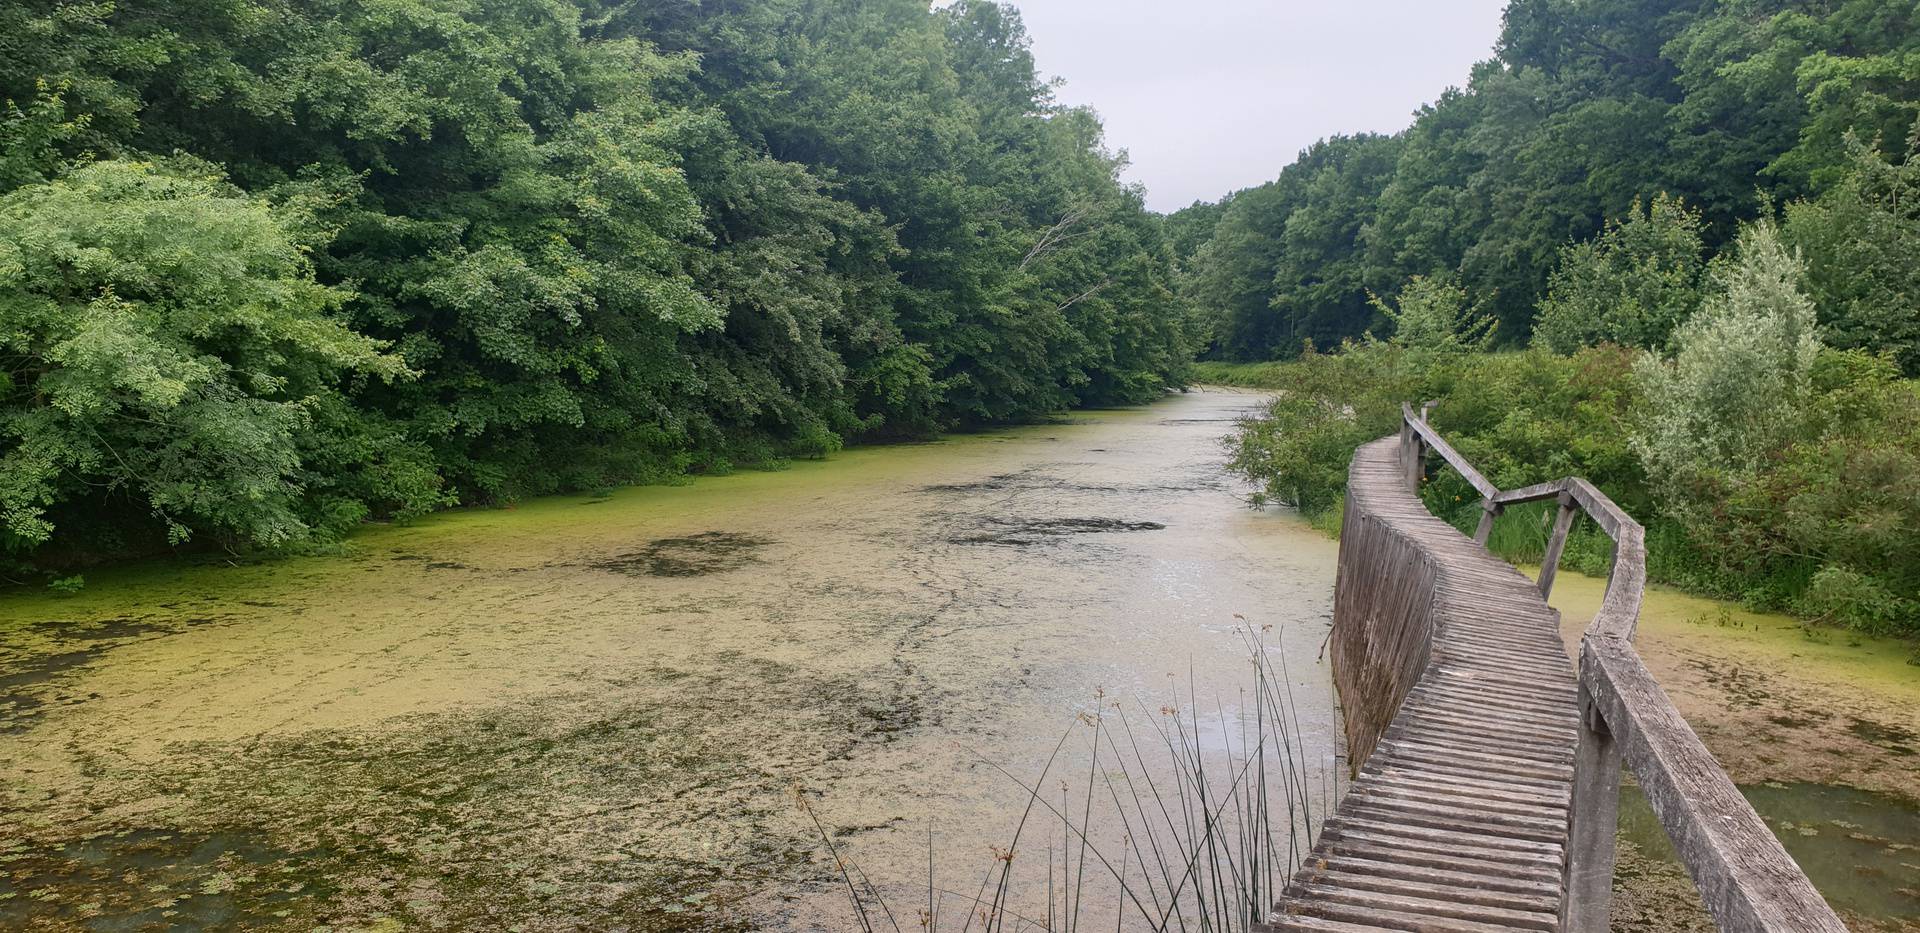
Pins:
x,y
1218,95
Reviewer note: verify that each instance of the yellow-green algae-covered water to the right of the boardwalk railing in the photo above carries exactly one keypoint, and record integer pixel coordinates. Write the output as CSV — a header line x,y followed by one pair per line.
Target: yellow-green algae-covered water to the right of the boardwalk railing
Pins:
x,y
1819,727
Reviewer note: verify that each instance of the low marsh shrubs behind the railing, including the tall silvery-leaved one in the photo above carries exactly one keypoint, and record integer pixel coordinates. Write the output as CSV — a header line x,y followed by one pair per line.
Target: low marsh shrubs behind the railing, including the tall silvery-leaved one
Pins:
x,y
1764,466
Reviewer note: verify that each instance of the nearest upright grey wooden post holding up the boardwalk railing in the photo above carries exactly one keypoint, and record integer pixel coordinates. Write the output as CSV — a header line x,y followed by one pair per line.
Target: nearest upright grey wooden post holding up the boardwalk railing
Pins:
x,y
1595,823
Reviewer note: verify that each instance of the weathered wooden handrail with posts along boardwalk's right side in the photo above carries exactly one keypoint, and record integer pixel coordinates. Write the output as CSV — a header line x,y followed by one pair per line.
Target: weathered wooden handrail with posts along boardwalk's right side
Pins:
x,y
1744,874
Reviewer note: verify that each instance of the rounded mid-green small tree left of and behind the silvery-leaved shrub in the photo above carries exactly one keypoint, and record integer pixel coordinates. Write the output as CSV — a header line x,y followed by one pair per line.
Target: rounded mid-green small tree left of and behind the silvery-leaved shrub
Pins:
x,y
1633,285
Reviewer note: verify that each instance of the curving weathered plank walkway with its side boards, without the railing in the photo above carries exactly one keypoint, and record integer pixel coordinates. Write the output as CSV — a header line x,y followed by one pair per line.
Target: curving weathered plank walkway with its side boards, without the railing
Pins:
x,y
1458,819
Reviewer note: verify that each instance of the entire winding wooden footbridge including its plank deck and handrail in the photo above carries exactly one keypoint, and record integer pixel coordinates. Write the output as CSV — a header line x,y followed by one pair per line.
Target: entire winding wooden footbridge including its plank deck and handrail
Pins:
x,y
1489,765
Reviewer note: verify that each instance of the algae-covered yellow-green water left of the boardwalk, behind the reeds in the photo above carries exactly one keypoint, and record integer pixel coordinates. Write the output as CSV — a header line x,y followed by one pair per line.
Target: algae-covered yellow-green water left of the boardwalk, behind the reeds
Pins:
x,y
596,711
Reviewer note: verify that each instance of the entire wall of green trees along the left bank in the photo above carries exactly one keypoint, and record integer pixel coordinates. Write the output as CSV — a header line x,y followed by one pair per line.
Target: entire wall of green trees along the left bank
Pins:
x,y
272,270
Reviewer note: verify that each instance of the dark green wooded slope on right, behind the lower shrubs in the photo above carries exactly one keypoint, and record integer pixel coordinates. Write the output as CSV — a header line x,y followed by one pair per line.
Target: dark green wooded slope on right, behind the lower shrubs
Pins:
x,y
1591,114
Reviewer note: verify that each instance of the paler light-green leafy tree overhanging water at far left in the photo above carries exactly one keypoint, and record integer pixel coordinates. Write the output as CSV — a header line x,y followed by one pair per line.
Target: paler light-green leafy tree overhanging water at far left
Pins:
x,y
172,354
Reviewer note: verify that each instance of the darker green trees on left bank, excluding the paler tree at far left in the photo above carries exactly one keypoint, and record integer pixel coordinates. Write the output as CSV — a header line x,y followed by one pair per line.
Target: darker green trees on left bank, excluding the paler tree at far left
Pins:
x,y
617,243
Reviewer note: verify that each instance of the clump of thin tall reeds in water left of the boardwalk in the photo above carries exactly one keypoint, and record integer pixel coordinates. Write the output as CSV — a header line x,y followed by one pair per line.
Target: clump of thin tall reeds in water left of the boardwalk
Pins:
x,y
1186,819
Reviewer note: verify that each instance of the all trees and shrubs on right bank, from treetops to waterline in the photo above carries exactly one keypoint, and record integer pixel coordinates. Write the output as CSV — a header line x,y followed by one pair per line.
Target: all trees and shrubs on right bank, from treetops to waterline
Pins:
x,y
1671,247
